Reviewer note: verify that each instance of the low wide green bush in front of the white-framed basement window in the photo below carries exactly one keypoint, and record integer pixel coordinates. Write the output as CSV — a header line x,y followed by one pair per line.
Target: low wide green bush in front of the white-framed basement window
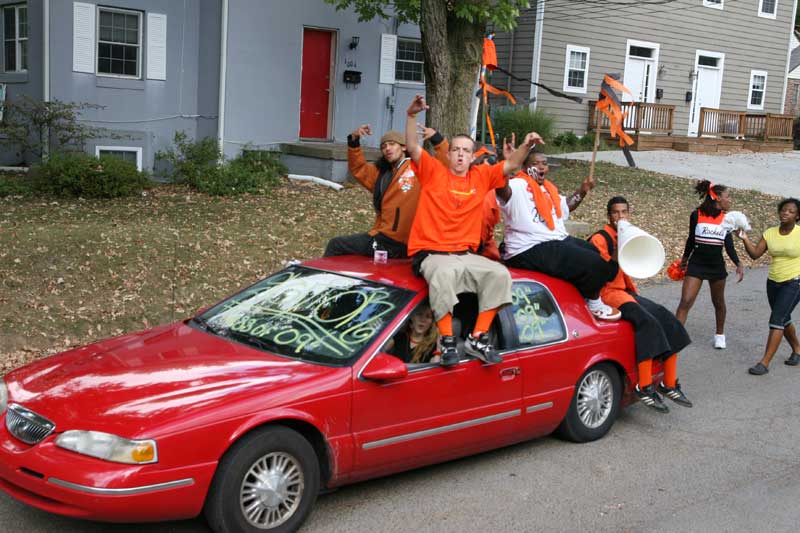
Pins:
x,y
80,174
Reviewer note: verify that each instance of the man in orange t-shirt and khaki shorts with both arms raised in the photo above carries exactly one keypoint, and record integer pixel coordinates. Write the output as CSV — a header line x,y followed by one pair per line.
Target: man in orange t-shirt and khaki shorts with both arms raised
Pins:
x,y
446,234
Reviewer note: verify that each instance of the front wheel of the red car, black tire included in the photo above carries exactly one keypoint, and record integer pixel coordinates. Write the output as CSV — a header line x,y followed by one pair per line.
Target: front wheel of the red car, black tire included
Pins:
x,y
268,481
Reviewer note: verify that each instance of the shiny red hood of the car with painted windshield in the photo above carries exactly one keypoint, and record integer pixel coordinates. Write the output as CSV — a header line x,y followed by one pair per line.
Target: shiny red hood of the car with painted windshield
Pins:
x,y
161,376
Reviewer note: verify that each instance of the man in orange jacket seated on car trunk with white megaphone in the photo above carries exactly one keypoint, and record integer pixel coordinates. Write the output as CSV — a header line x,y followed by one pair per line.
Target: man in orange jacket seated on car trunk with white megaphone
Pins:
x,y
657,333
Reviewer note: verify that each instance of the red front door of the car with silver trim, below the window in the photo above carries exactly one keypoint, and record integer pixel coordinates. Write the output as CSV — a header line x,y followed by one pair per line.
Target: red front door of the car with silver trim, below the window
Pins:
x,y
434,414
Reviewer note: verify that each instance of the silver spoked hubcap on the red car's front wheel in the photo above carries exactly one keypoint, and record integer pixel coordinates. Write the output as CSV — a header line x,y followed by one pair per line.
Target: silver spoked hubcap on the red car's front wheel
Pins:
x,y
272,490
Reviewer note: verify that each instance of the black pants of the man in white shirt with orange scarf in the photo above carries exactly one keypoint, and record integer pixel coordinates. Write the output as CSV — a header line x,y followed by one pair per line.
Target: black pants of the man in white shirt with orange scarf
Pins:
x,y
573,260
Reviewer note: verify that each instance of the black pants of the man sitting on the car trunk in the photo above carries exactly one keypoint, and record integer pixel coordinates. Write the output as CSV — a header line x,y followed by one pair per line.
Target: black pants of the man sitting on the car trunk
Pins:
x,y
657,333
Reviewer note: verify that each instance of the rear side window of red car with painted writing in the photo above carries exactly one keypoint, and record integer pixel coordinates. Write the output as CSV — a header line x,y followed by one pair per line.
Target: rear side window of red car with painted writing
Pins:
x,y
536,315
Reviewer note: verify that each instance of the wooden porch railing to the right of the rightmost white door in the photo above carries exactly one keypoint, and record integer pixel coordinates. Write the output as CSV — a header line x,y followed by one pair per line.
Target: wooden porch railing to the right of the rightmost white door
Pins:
x,y
740,125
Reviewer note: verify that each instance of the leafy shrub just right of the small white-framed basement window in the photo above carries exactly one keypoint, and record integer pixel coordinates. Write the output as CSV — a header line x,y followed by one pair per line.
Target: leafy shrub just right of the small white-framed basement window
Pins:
x,y
190,159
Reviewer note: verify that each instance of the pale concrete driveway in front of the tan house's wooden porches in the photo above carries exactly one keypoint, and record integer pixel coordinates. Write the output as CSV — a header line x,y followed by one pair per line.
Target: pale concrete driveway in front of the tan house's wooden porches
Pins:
x,y
777,174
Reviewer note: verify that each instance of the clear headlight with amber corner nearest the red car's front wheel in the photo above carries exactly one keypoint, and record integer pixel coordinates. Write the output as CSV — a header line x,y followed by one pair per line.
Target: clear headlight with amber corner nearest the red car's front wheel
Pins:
x,y
109,447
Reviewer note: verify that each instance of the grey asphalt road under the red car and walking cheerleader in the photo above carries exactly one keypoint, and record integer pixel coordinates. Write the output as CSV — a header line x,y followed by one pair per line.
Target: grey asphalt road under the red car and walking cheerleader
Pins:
x,y
728,464
